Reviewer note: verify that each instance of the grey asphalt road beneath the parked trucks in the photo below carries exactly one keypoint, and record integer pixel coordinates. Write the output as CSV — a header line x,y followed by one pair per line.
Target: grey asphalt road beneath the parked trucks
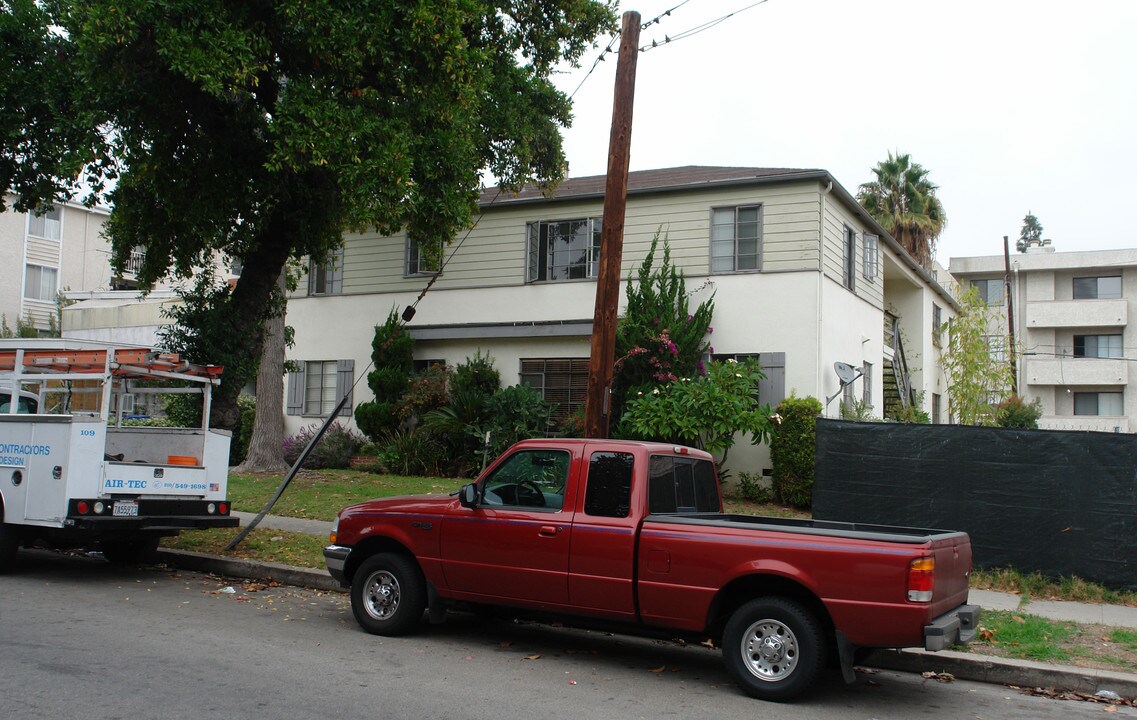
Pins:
x,y
85,640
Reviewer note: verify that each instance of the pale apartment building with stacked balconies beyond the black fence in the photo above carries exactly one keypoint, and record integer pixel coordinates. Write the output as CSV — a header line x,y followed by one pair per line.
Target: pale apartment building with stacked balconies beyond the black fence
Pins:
x,y
1072,319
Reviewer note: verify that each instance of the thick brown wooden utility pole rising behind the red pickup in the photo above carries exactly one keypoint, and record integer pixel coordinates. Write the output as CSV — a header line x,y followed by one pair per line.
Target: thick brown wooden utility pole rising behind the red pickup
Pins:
x,y
612,235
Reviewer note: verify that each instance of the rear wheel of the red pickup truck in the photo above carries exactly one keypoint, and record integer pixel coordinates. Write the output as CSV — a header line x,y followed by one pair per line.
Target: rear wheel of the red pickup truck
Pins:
x,y
775,648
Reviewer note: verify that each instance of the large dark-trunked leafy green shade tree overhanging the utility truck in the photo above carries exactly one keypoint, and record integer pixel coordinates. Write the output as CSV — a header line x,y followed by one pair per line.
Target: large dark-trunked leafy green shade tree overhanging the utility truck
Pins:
x,y
263,131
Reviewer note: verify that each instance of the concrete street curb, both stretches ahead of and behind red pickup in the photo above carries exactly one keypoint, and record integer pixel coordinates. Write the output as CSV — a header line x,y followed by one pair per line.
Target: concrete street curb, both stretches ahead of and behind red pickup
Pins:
x,y
962,666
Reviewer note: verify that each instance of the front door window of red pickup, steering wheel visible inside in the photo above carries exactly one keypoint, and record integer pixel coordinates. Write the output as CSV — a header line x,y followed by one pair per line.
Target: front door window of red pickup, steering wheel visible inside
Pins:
x,y
534,479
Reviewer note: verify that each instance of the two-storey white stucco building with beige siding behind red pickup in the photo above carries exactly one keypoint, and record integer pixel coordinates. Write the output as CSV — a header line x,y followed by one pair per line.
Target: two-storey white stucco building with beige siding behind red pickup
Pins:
x,y
802,277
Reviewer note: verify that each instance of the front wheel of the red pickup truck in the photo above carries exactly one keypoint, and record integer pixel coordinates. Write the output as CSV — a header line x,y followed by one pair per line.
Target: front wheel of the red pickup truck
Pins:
x,y
388,595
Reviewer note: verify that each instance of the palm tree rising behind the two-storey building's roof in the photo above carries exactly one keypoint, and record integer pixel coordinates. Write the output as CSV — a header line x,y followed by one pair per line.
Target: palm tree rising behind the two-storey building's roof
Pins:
x,y
903,201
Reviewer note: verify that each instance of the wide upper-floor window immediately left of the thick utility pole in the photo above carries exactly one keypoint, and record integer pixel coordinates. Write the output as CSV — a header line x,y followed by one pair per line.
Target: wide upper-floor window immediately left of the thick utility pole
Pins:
x,y
568,250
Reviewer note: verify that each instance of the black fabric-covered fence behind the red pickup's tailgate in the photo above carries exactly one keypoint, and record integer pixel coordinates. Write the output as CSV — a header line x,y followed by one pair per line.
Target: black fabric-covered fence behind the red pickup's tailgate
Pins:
x,y
1060,503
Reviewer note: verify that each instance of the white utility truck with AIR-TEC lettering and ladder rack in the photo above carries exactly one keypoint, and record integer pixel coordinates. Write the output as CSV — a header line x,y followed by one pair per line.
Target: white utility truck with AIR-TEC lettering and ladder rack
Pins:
x,y
73,476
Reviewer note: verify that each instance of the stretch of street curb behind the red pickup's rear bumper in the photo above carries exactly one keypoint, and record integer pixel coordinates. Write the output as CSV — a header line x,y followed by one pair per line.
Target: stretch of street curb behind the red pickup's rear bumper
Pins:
x,y
1006,672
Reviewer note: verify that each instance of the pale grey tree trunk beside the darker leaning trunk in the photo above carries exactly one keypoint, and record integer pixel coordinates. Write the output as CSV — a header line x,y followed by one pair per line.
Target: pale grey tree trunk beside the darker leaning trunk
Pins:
x,y
265,448
